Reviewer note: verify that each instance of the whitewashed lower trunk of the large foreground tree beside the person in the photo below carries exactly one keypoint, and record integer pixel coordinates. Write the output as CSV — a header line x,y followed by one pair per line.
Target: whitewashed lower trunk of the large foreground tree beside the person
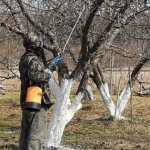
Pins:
x,y
63,112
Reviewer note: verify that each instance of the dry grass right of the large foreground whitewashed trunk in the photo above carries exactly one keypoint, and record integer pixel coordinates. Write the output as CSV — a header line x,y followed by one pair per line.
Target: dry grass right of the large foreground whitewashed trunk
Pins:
x,y
90,128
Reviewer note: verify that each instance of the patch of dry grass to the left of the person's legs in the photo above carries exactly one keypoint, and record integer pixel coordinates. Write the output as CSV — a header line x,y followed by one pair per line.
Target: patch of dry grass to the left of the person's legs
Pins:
x,y
9,120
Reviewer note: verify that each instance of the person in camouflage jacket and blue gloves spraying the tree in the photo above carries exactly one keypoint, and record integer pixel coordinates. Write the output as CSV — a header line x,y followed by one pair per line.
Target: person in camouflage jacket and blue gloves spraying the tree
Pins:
x,y
33,73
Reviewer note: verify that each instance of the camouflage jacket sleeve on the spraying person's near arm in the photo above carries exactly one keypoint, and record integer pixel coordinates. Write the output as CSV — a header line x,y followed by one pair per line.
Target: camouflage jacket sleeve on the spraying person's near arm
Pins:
x,y
36,71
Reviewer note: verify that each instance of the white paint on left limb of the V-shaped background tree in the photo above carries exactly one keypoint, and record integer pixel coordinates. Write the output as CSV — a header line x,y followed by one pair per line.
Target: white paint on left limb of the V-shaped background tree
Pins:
x,y
104,91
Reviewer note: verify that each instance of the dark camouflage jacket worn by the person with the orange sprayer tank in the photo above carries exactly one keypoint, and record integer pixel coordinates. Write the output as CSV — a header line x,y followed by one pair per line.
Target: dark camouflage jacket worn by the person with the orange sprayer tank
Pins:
x,y
31,68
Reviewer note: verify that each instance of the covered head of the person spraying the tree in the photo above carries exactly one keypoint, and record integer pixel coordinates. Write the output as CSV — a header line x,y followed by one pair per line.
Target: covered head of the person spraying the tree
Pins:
x,y
32,42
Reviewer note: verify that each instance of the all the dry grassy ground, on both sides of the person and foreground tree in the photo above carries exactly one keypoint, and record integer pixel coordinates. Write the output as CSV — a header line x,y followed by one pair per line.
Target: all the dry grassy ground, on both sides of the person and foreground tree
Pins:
x,y
89,129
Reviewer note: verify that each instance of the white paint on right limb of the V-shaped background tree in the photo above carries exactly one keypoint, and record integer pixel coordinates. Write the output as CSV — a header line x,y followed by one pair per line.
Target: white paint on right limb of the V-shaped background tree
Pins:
x,y
122,102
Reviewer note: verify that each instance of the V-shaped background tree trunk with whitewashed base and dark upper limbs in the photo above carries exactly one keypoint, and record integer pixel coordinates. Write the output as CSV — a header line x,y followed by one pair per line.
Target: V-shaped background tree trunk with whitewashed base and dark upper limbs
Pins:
x,y
122,100
